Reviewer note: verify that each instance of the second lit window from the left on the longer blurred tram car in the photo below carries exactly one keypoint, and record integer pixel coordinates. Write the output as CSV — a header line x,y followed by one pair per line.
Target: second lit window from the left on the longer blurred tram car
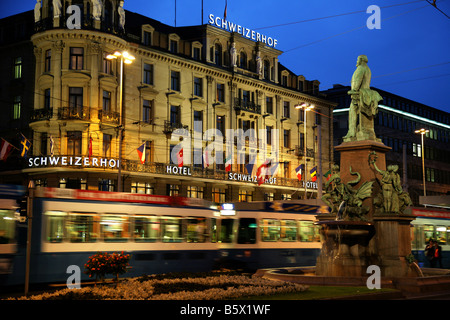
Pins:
x,y
82,228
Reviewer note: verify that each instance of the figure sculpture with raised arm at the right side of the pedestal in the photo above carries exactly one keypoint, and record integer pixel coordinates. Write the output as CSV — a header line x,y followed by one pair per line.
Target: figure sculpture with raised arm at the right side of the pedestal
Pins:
x,y
392,198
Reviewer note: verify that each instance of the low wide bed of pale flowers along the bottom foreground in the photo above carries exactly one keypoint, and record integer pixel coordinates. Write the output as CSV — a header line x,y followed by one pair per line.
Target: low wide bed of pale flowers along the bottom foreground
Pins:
x,y
192,288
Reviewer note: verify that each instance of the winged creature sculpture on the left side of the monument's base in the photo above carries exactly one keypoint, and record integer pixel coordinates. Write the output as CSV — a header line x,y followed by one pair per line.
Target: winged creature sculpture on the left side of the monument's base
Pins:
x,y
345,201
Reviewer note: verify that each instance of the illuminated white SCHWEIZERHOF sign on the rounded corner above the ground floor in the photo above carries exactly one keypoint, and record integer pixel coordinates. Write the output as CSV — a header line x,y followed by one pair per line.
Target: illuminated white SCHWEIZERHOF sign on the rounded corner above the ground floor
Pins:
x,y
73,161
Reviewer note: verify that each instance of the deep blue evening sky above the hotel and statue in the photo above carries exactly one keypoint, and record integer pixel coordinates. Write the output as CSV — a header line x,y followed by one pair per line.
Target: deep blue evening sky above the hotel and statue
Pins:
x,y
409,56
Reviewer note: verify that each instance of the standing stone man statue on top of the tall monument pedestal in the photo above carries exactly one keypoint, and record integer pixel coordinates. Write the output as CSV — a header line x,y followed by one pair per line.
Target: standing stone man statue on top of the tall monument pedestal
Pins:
x,y
364,105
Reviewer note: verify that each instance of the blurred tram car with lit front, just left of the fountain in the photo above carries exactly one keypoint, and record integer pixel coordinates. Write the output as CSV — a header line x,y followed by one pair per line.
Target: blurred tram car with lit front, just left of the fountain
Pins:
x,y
274,234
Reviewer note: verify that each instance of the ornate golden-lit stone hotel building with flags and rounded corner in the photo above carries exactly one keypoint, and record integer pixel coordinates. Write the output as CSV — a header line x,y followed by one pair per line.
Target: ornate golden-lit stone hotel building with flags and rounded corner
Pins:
x,y
87,118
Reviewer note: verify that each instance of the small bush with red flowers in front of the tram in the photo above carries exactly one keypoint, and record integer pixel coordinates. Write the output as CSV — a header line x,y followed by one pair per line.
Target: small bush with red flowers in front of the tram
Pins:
x,y
103,263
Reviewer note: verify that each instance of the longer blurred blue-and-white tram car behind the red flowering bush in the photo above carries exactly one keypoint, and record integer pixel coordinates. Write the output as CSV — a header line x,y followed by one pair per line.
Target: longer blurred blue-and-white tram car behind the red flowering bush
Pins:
x,y
162,234
